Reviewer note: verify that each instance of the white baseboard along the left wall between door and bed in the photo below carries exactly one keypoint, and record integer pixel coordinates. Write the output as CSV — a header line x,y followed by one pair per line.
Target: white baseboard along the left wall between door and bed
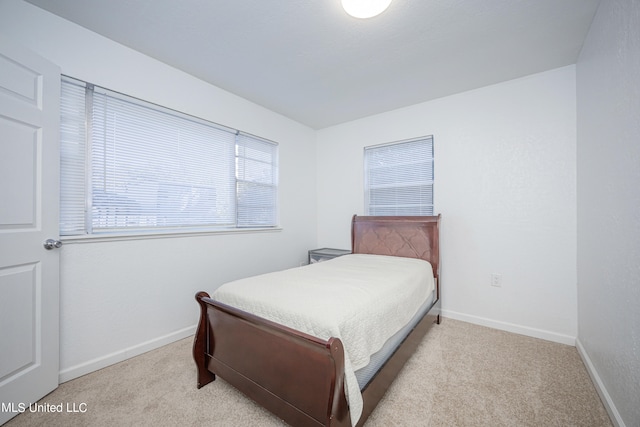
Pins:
x,y
119,356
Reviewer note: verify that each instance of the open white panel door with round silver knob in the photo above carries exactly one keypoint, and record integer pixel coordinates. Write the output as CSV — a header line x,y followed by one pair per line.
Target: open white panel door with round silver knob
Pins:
x,y
29,206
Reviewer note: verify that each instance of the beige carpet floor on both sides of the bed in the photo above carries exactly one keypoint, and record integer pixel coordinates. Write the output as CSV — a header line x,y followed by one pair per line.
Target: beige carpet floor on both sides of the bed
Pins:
x,y
461,375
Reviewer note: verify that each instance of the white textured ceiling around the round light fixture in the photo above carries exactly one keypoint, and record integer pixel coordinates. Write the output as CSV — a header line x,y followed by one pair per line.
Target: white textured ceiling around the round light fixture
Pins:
x,y
311,62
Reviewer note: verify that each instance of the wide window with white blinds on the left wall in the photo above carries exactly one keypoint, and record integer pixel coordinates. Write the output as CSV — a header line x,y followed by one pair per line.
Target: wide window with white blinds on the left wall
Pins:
x,y
131,166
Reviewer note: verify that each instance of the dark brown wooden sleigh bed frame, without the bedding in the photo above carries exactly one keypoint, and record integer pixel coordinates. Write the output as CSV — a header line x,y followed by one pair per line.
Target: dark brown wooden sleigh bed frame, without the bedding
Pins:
x,y
298,377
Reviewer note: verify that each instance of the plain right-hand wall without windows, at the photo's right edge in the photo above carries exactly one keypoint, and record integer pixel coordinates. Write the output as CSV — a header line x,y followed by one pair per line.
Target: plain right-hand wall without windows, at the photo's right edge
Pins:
x,y
608,161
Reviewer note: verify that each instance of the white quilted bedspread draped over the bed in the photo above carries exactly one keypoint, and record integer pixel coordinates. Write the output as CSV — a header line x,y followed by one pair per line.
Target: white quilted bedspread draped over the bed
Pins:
x,y
360,299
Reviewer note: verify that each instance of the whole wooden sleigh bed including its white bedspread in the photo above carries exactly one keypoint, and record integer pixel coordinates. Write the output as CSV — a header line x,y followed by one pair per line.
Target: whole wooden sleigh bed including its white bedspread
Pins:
x,y
302,378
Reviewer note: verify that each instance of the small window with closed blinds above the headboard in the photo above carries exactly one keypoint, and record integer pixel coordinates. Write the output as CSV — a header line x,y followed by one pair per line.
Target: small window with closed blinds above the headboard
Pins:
x,y
399,178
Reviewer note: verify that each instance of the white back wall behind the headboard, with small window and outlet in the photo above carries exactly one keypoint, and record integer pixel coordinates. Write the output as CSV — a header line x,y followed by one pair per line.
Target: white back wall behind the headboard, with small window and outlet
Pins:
x,y
505,184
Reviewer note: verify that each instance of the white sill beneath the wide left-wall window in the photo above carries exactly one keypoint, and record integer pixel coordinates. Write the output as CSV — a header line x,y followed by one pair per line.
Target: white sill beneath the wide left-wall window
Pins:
x,y
137,235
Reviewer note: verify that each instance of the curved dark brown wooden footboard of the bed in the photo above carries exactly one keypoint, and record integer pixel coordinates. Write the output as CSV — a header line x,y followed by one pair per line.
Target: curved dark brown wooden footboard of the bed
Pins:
x,y
296,376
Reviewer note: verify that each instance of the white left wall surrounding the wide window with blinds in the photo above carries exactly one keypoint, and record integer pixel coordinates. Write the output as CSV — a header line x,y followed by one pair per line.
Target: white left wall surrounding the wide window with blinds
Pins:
x,y
121,298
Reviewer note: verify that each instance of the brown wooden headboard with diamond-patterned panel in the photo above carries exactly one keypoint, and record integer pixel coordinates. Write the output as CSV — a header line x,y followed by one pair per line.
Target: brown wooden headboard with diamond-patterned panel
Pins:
x,y
405,236
